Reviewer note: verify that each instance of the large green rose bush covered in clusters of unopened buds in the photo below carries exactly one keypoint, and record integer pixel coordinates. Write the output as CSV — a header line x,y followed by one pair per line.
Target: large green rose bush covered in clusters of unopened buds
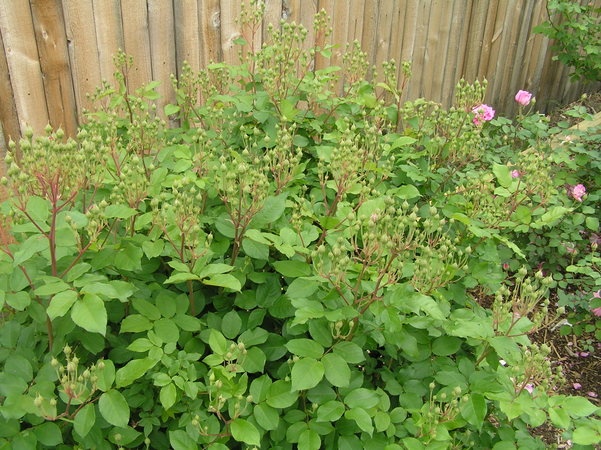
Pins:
x,y
306,261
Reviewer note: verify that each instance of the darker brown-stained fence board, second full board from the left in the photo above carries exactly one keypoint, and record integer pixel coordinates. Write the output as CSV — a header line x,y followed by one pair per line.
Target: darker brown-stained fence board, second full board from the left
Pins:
x,y
54,61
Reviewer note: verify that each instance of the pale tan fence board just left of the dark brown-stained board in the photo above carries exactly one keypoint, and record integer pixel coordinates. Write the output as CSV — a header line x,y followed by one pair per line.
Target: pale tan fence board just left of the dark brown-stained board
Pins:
x,y
23,63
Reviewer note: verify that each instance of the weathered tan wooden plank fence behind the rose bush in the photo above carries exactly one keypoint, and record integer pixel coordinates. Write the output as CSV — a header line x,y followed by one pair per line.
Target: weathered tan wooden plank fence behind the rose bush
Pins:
x,y
53,52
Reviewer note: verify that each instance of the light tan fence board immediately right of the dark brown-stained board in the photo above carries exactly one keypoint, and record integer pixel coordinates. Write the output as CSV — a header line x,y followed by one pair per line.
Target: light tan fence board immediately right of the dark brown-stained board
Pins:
x,y
83,50
